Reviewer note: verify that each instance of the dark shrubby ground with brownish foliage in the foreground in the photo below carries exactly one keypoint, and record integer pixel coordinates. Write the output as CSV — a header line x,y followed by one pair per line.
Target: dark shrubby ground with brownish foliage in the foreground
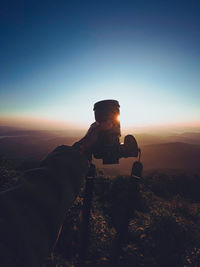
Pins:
x,y
158,226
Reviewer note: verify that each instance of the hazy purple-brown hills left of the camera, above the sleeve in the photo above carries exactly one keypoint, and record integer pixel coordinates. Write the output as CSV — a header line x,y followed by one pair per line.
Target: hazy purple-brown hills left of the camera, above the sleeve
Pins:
x,y
19,145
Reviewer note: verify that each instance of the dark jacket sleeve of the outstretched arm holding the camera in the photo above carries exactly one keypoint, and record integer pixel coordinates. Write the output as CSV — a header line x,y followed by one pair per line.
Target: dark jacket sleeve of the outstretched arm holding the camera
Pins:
x,y
32,213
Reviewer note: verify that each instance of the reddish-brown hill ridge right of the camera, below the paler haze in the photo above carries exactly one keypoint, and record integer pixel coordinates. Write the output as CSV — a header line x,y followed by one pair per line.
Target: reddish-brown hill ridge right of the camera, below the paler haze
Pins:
x,y
175,155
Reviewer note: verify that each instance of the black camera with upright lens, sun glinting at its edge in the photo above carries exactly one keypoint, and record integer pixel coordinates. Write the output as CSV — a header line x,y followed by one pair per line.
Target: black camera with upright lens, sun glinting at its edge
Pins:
x,y
108,148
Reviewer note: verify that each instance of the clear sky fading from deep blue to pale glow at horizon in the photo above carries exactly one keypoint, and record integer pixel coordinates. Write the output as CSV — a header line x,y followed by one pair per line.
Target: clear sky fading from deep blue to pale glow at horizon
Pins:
x,y
57,58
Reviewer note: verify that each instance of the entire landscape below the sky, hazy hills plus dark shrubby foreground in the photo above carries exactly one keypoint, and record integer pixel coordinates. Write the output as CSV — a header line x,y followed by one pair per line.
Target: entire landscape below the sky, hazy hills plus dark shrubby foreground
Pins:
x,y
157,225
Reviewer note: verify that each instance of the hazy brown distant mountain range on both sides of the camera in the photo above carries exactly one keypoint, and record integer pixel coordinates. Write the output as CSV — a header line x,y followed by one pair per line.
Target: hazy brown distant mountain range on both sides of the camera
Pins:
x,y
180,151
